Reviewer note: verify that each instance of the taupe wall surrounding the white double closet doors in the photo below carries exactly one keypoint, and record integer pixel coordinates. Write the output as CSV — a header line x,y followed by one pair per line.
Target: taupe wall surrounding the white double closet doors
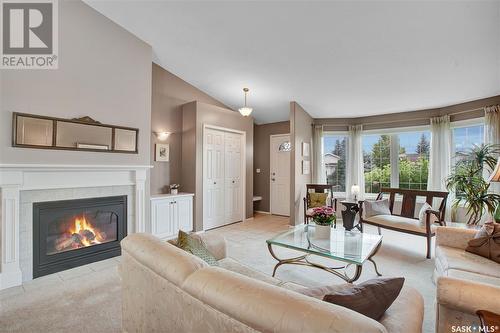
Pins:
x,y
195,116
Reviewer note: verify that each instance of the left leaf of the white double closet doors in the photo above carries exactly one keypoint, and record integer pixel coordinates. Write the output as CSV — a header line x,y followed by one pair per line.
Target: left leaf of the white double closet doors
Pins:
x,y
213,197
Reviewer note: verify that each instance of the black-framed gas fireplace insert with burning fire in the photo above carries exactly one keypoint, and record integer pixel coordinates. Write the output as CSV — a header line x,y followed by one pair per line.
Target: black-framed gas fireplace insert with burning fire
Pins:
x,y
72,233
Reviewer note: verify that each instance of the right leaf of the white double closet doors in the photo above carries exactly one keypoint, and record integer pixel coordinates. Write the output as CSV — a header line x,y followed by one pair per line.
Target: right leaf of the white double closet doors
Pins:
x,y
233,177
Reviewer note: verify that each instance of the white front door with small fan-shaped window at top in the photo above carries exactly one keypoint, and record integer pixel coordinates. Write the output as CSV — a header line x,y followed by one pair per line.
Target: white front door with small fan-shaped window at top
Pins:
x,y
280,174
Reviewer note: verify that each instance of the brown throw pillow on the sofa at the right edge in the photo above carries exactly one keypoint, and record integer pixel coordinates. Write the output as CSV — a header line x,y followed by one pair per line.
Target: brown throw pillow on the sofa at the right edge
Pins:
x,y
486,243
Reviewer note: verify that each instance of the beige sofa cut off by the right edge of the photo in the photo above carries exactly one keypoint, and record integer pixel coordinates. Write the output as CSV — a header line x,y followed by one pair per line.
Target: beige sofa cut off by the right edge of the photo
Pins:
x,y
465,282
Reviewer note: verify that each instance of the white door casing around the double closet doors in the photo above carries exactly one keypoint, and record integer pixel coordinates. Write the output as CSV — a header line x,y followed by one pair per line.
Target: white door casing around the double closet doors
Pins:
x,y
243,168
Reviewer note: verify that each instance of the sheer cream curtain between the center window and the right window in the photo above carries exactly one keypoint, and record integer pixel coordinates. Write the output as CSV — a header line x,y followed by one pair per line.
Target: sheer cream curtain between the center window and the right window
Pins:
x,y
440,158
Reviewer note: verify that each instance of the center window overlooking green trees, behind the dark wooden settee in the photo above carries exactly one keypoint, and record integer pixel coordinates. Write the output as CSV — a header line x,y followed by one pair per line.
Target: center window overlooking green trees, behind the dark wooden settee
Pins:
x,y
396,160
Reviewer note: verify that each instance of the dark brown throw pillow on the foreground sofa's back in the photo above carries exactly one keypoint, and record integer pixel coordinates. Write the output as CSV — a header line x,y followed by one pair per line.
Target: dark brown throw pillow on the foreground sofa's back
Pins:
x,y
370,298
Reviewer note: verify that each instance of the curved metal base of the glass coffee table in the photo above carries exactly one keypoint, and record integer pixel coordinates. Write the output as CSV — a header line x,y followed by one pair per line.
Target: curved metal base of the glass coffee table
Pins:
x,y
303,260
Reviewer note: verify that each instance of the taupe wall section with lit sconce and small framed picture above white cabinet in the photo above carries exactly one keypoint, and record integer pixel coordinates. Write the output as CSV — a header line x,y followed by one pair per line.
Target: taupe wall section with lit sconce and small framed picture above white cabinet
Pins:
x,y
169,94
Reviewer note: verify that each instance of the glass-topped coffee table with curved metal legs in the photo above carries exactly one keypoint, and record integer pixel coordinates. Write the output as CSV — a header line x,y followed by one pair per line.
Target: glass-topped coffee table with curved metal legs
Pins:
x,y
350,247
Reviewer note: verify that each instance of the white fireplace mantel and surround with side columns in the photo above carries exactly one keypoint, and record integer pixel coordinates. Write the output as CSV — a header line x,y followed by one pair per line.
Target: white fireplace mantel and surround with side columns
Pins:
x,y
16,178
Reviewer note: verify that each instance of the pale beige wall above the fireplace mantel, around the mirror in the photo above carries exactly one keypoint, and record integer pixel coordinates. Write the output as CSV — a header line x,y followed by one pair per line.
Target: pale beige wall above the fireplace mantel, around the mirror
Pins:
x,y
104,72
